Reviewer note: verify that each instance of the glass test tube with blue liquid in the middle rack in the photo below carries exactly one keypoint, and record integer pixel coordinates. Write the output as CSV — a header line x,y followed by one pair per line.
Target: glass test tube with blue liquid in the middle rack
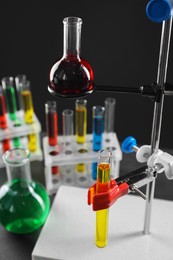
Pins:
x,y
98,127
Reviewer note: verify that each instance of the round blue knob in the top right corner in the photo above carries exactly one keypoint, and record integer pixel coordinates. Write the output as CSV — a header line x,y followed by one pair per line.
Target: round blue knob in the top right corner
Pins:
x,y
159,10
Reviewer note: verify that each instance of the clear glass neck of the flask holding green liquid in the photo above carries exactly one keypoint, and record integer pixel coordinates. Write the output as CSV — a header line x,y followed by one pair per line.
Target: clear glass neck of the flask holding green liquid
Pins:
x,y
17,164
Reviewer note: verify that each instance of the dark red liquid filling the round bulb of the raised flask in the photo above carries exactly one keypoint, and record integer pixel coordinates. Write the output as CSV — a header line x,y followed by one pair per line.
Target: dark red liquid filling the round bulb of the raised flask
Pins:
x,y
71,77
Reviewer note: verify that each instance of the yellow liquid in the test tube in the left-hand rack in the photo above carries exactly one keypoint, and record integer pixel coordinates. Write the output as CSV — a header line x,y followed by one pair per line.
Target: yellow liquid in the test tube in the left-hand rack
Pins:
x,y
28,106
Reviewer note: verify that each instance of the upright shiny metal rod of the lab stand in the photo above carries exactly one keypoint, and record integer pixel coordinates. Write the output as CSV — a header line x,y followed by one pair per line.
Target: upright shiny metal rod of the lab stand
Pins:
x,y
158,109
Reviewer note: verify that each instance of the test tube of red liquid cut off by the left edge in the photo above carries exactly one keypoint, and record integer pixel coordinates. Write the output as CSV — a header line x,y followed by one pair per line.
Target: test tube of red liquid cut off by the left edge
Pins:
x,y
3,121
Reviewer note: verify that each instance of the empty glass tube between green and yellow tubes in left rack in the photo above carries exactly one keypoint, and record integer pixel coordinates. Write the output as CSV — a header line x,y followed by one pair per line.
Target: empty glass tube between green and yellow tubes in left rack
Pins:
x,y
20,81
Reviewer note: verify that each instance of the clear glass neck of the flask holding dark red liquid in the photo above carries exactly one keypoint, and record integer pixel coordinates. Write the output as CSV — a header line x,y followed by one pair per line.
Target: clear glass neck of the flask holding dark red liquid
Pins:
x,y
72,37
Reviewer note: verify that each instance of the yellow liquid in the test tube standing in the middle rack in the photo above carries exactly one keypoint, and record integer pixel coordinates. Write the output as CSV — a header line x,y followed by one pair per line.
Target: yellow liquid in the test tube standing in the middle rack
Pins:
x,y
81,123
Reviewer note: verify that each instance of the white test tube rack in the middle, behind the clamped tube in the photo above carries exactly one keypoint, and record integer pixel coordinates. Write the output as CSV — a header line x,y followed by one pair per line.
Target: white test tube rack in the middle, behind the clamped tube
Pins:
x,y
69,157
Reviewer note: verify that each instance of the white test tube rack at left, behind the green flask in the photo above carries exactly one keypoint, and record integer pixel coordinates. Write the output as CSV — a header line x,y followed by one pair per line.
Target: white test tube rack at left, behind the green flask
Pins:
x,y
22,130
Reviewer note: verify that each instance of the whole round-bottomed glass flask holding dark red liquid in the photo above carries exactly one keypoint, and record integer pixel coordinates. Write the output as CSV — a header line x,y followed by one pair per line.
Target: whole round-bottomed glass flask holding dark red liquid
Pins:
x,y
71,76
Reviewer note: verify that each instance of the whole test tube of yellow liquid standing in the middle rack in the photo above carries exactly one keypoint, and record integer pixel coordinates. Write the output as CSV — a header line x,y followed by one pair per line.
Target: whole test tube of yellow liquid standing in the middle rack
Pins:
x,y
81,120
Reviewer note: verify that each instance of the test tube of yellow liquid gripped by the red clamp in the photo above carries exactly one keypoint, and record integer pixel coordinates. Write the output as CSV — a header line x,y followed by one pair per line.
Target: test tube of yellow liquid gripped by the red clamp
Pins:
x,y
102,185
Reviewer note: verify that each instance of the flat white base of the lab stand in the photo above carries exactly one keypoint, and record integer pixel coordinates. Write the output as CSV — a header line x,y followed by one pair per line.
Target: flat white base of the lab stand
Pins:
x,y
69,231
